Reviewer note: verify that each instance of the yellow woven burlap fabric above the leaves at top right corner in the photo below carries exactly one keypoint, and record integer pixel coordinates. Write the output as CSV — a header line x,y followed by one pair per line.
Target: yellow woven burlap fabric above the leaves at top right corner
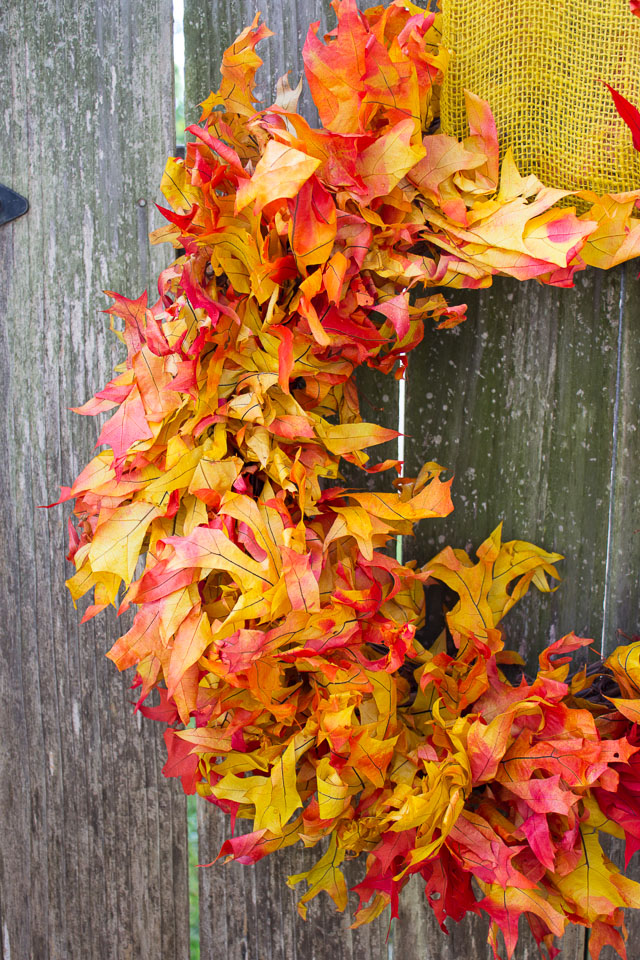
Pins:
x,y
540,64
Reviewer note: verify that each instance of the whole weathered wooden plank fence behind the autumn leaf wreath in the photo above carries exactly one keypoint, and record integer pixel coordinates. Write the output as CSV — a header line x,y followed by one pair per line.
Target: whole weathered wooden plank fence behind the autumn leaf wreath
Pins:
x,y
533,403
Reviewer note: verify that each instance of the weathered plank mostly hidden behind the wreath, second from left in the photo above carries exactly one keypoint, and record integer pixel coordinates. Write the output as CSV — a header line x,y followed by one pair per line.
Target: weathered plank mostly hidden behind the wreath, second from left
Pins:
x,y
249,913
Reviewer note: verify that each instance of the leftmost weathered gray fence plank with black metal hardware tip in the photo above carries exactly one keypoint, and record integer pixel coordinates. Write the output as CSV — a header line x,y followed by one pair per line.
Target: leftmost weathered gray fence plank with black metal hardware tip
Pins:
x,y
94,840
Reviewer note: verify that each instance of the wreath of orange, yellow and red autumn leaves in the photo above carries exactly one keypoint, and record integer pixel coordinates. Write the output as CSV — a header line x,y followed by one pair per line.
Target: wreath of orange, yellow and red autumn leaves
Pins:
x,y
281,636
